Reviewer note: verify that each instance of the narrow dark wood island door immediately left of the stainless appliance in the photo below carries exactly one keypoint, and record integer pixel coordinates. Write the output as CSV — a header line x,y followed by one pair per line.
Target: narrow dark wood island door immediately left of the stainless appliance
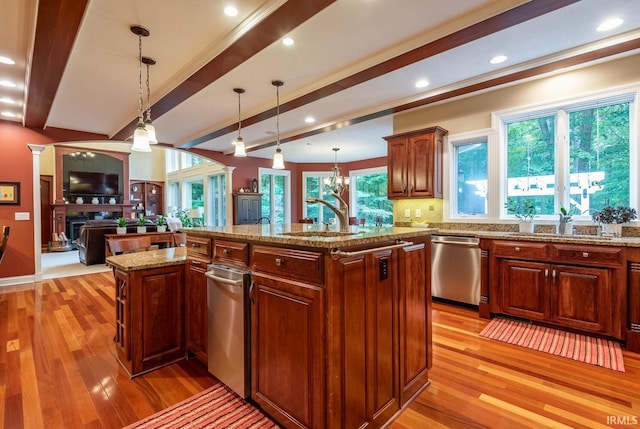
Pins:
x,y
196,317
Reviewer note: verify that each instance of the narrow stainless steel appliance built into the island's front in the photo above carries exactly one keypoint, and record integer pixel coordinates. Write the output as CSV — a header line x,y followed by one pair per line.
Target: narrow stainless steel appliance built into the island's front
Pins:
x,y
229,336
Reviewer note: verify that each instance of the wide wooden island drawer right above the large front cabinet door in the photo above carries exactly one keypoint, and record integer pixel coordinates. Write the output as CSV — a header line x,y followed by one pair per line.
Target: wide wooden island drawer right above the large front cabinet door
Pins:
x,y
294,264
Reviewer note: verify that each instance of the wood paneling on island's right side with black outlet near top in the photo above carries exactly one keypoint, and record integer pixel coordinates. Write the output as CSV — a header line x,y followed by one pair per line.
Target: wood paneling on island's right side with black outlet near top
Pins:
x,y
365,328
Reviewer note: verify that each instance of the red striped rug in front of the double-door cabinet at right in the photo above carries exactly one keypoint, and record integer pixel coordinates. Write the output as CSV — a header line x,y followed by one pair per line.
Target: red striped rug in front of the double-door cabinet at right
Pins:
x,y
595,351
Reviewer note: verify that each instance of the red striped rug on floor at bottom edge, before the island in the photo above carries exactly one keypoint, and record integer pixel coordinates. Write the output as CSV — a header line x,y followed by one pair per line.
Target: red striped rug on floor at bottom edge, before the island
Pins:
x,y
216,407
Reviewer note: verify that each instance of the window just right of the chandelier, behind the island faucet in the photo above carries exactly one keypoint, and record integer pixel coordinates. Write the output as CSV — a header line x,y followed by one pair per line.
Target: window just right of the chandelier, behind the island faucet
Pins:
x,y
368,193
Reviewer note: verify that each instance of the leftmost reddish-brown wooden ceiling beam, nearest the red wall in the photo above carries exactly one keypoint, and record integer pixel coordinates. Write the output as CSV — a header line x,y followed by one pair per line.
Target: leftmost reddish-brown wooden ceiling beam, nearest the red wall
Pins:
x,y
56,29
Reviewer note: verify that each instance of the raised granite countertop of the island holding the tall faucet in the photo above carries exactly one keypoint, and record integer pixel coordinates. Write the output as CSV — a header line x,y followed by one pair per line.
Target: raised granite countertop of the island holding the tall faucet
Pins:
x,y
310,235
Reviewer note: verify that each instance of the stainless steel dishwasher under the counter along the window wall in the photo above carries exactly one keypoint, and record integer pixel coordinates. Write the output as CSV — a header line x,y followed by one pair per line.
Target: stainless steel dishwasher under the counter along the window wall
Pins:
x,y
455,268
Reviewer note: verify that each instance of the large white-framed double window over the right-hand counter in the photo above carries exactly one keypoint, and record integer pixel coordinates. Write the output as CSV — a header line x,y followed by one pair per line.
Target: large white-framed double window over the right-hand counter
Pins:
x,y
575,155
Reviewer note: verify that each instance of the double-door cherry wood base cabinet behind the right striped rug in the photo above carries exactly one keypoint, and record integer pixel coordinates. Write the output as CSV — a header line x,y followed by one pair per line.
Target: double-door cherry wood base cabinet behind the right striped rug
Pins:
x,y
574,286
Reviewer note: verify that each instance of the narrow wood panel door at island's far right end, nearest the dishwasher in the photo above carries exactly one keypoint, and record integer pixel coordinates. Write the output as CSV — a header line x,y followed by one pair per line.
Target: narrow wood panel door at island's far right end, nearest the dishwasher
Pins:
x,y
415,320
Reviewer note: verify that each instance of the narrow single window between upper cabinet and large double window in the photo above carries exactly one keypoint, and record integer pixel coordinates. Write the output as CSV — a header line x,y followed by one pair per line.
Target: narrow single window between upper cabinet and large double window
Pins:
x,y
471,178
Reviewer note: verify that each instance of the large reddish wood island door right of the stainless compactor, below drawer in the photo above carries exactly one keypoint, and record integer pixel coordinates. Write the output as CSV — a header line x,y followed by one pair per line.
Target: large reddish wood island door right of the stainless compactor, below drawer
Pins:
x,y
287,350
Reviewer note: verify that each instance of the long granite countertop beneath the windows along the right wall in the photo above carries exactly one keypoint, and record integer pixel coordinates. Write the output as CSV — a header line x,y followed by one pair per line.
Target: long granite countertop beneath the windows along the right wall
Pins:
x,y
553,238
